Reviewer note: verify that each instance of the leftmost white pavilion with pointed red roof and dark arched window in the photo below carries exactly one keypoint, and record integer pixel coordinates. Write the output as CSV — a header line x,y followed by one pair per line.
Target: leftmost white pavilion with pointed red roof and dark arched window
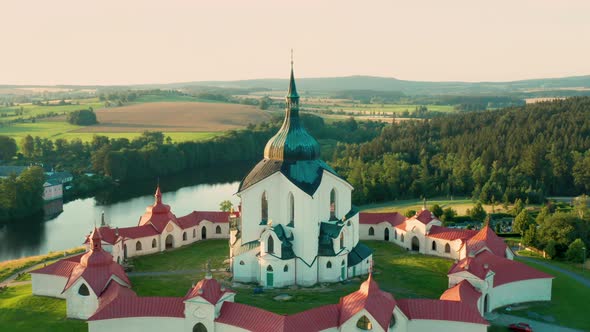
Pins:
x,y
81,279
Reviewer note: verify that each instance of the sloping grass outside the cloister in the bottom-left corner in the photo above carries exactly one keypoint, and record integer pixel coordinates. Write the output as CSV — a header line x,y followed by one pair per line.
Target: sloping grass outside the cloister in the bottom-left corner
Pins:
x,y
21,311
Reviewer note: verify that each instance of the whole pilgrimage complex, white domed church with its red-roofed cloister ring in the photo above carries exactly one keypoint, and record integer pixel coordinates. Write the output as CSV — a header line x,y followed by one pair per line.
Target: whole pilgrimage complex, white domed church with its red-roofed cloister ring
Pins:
x,y
295,226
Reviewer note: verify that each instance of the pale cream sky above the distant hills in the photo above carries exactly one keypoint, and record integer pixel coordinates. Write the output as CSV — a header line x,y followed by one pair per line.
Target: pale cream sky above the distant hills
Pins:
x,y
148,41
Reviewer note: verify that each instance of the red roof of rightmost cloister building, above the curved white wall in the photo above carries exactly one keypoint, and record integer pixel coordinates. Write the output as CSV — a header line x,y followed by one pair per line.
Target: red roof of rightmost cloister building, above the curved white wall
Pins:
x,y
505,270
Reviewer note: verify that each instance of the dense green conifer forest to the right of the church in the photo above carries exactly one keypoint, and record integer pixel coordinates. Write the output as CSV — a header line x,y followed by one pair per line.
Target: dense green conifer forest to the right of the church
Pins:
x,y
525,152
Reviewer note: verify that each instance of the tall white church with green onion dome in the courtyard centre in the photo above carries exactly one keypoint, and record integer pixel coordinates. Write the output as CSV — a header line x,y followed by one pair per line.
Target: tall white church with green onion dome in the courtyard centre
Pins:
x,y
296,225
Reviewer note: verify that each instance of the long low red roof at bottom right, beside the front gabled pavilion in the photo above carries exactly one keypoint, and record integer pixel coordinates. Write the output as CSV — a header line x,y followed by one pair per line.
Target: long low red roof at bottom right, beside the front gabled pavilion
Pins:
x,y
440,310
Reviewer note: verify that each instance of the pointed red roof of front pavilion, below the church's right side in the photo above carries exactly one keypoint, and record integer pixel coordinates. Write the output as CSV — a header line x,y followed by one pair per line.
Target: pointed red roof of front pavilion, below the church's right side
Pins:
x,y
378,303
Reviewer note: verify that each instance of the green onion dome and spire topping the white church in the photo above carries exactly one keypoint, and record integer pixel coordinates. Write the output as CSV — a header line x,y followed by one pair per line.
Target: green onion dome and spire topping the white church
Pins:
x,y
292,142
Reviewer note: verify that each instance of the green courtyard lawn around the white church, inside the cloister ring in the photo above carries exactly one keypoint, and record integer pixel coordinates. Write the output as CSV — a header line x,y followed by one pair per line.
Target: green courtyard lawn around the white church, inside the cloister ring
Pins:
x,y
402,274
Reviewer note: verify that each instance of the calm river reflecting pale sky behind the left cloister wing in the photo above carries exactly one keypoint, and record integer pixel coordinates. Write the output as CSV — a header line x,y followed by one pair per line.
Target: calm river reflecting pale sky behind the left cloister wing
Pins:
x,y
122,206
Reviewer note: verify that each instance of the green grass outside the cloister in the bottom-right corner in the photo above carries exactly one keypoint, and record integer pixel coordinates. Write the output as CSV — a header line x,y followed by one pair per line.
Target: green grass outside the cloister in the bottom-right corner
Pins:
x,y
569,302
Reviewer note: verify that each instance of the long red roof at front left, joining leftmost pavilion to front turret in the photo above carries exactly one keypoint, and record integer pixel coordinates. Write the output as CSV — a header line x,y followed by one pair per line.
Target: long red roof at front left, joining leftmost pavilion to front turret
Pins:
x,y
119,302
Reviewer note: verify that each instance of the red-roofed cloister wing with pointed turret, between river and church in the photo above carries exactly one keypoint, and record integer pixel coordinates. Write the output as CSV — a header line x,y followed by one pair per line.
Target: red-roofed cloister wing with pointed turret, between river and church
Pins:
x,y
159,229
